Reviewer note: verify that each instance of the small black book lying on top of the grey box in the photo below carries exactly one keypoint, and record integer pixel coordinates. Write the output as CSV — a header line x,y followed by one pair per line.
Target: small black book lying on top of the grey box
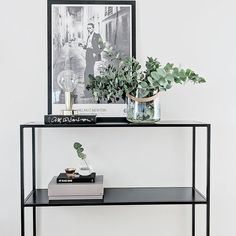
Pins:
x,y
63,178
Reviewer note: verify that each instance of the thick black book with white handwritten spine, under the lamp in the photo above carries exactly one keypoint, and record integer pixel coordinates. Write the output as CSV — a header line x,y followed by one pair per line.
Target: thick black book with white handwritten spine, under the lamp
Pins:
x,y
70,119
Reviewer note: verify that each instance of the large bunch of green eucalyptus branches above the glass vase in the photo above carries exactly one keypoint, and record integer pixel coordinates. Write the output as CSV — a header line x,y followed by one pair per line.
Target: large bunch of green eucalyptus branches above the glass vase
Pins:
x,y
126,77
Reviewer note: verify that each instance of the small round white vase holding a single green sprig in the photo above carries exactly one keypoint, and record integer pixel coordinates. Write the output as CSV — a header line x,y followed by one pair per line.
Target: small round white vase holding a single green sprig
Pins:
x,y
84,169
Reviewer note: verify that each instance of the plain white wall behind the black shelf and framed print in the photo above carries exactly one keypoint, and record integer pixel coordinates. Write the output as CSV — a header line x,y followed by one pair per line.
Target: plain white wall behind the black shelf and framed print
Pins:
x,y
197,34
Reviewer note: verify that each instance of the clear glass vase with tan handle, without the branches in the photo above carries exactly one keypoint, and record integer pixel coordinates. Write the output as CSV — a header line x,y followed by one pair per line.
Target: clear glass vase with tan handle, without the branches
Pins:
x,y
143,110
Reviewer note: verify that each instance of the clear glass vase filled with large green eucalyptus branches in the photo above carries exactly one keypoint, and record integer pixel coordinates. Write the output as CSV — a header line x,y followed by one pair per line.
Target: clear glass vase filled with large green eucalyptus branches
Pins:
x,y
124,79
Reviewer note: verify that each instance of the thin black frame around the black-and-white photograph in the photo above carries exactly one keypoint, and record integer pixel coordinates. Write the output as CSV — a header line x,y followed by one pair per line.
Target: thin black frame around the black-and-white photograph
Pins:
x,y
51,3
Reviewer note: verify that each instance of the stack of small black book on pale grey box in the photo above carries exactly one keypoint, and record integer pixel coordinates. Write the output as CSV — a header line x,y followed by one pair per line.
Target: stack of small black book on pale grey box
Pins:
x,y
77,188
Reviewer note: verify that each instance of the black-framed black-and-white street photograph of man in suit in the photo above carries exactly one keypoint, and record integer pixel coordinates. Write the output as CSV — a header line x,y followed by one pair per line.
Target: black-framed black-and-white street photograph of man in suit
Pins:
x,y
79,35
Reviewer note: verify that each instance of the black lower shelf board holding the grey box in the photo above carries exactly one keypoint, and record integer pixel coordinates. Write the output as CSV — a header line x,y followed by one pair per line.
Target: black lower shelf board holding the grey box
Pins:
x,y
125,196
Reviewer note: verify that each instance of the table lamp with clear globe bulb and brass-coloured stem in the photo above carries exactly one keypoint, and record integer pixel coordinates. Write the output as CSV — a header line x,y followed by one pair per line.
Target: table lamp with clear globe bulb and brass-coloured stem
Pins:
x,y
67,80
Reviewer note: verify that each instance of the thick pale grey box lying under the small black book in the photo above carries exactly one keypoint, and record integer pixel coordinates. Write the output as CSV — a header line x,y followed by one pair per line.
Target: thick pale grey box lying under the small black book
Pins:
x,y
76,189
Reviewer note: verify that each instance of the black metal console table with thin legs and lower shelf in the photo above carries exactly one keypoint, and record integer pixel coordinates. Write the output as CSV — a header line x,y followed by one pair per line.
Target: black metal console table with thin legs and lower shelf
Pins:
x,y
126,196
